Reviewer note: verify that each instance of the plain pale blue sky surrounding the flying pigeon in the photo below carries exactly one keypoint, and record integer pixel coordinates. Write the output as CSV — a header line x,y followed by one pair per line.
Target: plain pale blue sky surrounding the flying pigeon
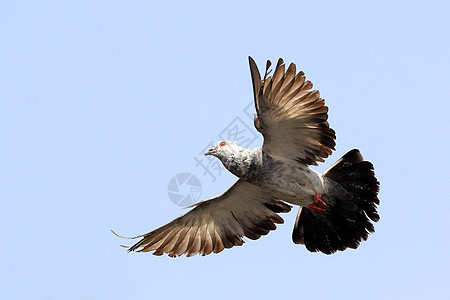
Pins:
x,y
103,102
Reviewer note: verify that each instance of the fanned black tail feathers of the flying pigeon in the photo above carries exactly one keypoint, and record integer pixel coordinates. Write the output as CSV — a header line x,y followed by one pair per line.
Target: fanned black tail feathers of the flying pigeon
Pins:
x,y
348,220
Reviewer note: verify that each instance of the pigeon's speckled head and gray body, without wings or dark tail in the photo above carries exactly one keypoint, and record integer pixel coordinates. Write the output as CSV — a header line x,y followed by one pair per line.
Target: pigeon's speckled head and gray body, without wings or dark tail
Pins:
x,y
290,181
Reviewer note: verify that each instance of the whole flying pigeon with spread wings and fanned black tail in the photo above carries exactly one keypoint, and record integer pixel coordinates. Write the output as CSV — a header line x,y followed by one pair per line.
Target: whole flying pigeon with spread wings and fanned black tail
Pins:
x,y
337,209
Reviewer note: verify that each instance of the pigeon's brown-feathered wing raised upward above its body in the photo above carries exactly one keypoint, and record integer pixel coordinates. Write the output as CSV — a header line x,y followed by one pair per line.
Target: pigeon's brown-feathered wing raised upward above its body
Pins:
x,y
291,117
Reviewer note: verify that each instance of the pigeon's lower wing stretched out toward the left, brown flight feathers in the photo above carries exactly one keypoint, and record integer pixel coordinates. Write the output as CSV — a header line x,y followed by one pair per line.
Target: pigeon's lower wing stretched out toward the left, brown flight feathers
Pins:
x,y
217,223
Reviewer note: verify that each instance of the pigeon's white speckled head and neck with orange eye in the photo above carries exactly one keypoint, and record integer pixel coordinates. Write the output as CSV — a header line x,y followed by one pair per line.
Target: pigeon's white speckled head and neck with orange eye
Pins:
x,y
235,159
